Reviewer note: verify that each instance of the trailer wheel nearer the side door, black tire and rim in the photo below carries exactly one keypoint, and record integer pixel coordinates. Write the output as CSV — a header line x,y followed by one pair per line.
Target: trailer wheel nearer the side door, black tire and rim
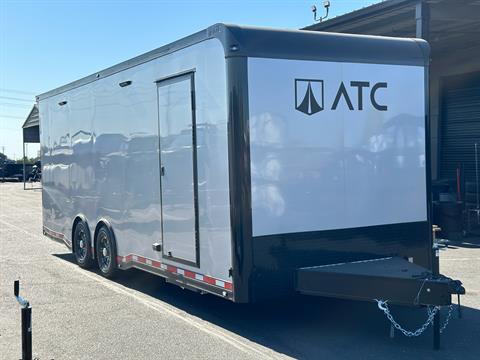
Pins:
x,y
106,251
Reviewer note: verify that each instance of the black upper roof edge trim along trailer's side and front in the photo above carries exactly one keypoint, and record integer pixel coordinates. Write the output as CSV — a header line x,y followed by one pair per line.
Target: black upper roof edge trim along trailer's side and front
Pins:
x,y
285,44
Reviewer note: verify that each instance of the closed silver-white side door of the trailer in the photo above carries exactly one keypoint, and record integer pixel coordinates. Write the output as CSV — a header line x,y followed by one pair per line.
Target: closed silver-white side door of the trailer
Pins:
x,y
178,158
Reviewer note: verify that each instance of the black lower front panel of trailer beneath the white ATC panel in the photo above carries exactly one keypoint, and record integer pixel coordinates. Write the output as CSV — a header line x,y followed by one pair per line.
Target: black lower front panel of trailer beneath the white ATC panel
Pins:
x,y
278,257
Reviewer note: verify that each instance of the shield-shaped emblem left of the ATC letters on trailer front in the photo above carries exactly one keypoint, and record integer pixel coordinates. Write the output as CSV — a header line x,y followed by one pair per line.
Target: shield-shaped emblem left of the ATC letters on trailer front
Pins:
x,y
309,96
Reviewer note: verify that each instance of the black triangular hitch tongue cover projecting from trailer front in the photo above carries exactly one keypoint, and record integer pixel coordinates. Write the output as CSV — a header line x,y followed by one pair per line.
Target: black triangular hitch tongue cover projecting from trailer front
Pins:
x,y
394,279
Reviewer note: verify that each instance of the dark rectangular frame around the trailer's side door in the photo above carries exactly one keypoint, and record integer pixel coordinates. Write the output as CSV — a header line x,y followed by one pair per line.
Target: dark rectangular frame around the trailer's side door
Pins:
x,y
178,77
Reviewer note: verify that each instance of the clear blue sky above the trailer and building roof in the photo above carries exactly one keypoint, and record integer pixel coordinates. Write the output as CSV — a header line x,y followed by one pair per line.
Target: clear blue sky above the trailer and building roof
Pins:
x,y
46,44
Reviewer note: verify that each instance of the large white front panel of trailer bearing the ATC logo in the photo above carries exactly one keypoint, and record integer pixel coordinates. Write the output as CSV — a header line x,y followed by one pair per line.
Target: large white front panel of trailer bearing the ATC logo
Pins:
x,y
316,166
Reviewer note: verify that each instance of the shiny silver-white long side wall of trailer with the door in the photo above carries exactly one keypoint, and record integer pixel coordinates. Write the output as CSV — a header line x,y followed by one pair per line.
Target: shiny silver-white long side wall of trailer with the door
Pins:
x,y
103,159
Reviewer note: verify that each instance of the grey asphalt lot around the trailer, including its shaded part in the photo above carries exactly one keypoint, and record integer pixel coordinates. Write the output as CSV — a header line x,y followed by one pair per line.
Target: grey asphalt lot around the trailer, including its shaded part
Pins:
x,y
77,314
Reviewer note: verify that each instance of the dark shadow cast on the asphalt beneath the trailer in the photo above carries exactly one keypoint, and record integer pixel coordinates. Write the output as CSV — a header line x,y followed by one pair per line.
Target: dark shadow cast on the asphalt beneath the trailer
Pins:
x,y
311,328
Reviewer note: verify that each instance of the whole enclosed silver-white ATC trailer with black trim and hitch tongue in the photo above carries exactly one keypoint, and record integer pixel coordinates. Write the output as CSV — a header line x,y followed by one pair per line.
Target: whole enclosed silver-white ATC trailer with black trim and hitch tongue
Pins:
x,y
251,163
